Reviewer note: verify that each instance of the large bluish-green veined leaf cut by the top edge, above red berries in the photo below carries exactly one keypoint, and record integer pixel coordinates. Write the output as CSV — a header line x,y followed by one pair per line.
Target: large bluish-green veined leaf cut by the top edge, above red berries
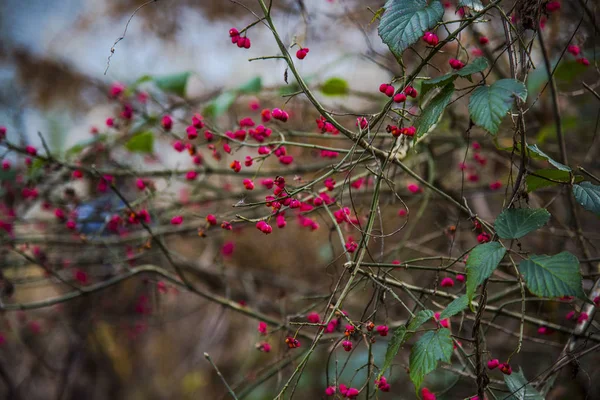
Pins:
x,y
404,22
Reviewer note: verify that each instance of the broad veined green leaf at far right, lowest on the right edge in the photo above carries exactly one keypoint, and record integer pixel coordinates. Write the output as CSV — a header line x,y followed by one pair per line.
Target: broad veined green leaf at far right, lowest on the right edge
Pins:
x,y
553,276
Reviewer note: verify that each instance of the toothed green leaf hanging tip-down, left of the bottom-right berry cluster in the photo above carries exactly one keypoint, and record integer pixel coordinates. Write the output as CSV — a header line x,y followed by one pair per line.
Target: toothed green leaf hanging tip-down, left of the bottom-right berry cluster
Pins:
x,y
432,347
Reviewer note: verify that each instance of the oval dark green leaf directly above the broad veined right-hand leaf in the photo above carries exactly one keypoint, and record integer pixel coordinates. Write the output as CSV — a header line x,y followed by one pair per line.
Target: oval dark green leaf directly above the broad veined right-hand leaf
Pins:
x,y
514,223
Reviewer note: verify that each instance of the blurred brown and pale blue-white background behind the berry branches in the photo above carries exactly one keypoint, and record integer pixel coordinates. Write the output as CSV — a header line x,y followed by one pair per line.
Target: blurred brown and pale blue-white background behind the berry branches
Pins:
x,y
145,338
